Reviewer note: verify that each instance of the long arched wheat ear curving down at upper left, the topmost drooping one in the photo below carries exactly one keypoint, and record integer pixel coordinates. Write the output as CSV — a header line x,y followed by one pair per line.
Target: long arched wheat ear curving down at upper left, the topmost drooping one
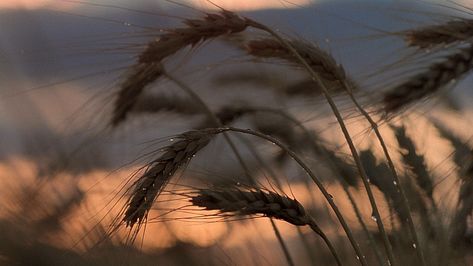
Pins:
x,y
149,66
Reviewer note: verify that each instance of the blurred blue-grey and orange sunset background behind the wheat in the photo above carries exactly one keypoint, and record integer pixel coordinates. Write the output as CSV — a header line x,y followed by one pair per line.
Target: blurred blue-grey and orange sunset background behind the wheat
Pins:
x,y
61,62
